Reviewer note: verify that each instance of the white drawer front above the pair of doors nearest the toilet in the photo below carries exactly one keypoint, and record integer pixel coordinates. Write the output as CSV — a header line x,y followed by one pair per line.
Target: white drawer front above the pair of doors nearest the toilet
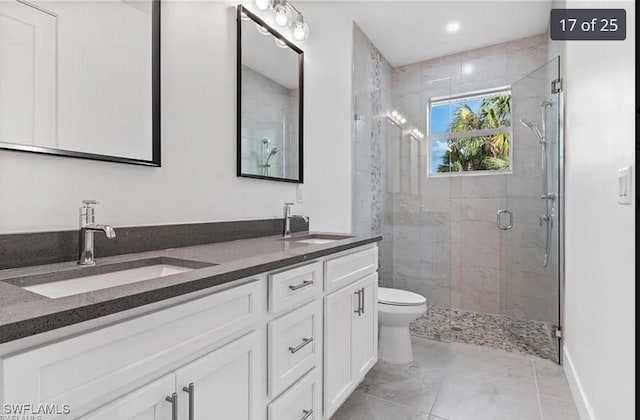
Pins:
x,y
344,270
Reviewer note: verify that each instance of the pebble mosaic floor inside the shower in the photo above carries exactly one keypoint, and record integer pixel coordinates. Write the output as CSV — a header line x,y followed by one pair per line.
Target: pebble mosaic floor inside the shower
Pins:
x,y
498,331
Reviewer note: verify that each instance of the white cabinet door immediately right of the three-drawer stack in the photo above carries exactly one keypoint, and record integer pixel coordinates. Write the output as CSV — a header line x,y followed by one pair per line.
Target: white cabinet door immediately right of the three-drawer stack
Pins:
x,y
339,309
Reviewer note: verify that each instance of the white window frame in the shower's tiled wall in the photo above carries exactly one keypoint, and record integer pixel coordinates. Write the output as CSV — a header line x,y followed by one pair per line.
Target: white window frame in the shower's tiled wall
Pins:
x,y
430,138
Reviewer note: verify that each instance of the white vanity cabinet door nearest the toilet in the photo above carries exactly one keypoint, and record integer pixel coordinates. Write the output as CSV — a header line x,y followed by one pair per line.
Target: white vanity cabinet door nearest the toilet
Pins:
x,y
365,327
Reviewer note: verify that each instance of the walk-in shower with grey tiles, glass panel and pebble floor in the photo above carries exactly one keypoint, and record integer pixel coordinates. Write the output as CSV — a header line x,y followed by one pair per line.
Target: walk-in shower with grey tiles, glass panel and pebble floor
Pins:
x,y
486,283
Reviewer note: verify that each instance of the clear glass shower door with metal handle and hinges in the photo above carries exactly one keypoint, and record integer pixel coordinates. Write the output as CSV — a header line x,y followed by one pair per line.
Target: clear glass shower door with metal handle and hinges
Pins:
x,y
529,219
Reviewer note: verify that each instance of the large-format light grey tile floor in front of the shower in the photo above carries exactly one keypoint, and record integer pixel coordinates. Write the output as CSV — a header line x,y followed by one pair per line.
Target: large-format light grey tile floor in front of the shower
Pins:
x,y
457,381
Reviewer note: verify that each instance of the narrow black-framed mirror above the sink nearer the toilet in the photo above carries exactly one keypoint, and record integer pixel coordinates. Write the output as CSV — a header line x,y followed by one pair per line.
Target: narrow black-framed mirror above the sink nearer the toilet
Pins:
x,y
270,79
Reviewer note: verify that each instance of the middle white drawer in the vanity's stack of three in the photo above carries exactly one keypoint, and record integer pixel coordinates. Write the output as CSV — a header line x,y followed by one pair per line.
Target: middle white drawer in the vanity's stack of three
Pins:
x,y
295,346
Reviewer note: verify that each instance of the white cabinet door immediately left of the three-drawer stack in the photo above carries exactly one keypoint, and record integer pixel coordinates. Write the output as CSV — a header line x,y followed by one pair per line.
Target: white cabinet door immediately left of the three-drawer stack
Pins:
x,y
225,382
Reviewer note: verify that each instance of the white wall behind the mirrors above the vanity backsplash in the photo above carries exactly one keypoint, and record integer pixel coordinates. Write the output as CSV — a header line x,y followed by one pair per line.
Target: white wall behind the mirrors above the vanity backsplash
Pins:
x,y
197,181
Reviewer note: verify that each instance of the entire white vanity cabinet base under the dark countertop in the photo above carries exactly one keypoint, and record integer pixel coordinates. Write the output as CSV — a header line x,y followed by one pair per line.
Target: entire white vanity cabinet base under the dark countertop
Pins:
x,y
286,345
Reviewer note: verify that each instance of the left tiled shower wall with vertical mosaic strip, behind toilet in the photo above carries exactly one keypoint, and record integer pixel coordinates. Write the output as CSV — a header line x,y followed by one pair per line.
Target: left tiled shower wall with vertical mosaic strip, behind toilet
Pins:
x,y
371,102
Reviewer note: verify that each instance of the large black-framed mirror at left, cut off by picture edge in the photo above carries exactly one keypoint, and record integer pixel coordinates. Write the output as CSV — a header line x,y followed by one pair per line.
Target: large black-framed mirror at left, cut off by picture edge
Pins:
x,y
81,79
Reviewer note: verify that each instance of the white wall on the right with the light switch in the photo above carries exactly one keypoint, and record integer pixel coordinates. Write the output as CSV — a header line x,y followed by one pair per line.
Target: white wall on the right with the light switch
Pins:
x,y
600,255
